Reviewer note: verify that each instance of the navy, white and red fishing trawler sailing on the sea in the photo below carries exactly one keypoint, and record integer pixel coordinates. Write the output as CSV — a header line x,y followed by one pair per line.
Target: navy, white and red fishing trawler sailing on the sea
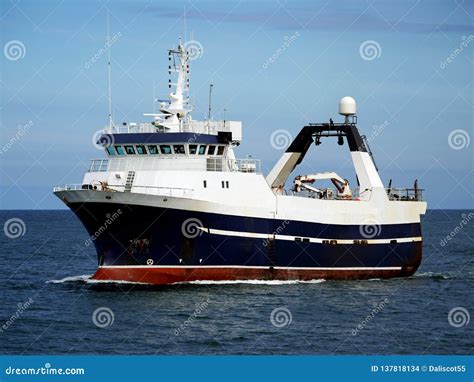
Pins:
x,y
171,203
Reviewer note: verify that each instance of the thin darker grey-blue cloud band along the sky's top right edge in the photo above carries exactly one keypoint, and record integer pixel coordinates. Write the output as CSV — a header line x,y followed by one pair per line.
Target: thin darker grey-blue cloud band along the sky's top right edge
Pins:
x,y
297,16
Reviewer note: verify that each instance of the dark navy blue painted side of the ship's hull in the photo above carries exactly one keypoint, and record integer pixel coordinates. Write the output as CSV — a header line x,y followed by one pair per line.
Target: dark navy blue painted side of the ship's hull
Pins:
x,y
140,235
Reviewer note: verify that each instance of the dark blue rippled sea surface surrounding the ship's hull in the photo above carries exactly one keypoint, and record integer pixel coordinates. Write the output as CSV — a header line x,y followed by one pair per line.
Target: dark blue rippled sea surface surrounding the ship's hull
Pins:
x,y
49,305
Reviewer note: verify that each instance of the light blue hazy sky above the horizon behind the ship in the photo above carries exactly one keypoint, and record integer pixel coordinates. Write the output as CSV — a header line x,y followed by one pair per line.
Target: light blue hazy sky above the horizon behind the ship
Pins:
x,y
414,94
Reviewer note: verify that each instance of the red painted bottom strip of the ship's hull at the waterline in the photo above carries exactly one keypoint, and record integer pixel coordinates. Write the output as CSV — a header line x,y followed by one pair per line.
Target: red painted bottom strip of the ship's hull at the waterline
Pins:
x,y
164,276
